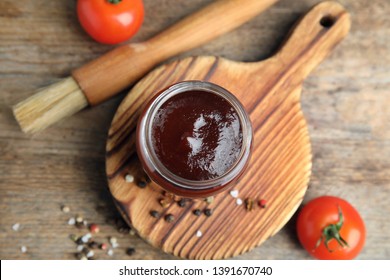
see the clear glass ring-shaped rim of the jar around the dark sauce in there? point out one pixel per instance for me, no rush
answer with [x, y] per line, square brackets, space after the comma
[145, 135]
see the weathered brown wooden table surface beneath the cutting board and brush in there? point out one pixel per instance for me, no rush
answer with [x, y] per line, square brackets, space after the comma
[346, 102]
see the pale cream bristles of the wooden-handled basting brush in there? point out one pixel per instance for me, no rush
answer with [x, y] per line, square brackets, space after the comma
[49, 105]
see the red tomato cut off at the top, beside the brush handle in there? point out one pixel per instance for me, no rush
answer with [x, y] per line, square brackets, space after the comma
[110, 21]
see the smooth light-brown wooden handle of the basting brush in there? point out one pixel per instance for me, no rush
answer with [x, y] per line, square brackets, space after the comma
[113, 72]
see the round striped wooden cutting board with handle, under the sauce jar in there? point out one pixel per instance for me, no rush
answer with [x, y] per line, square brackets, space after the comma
[280, 165]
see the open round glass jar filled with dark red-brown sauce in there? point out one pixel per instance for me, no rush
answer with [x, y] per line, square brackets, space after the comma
[194, 139]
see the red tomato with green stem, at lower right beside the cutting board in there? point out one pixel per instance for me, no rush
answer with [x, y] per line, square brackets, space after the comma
[330, 228]
